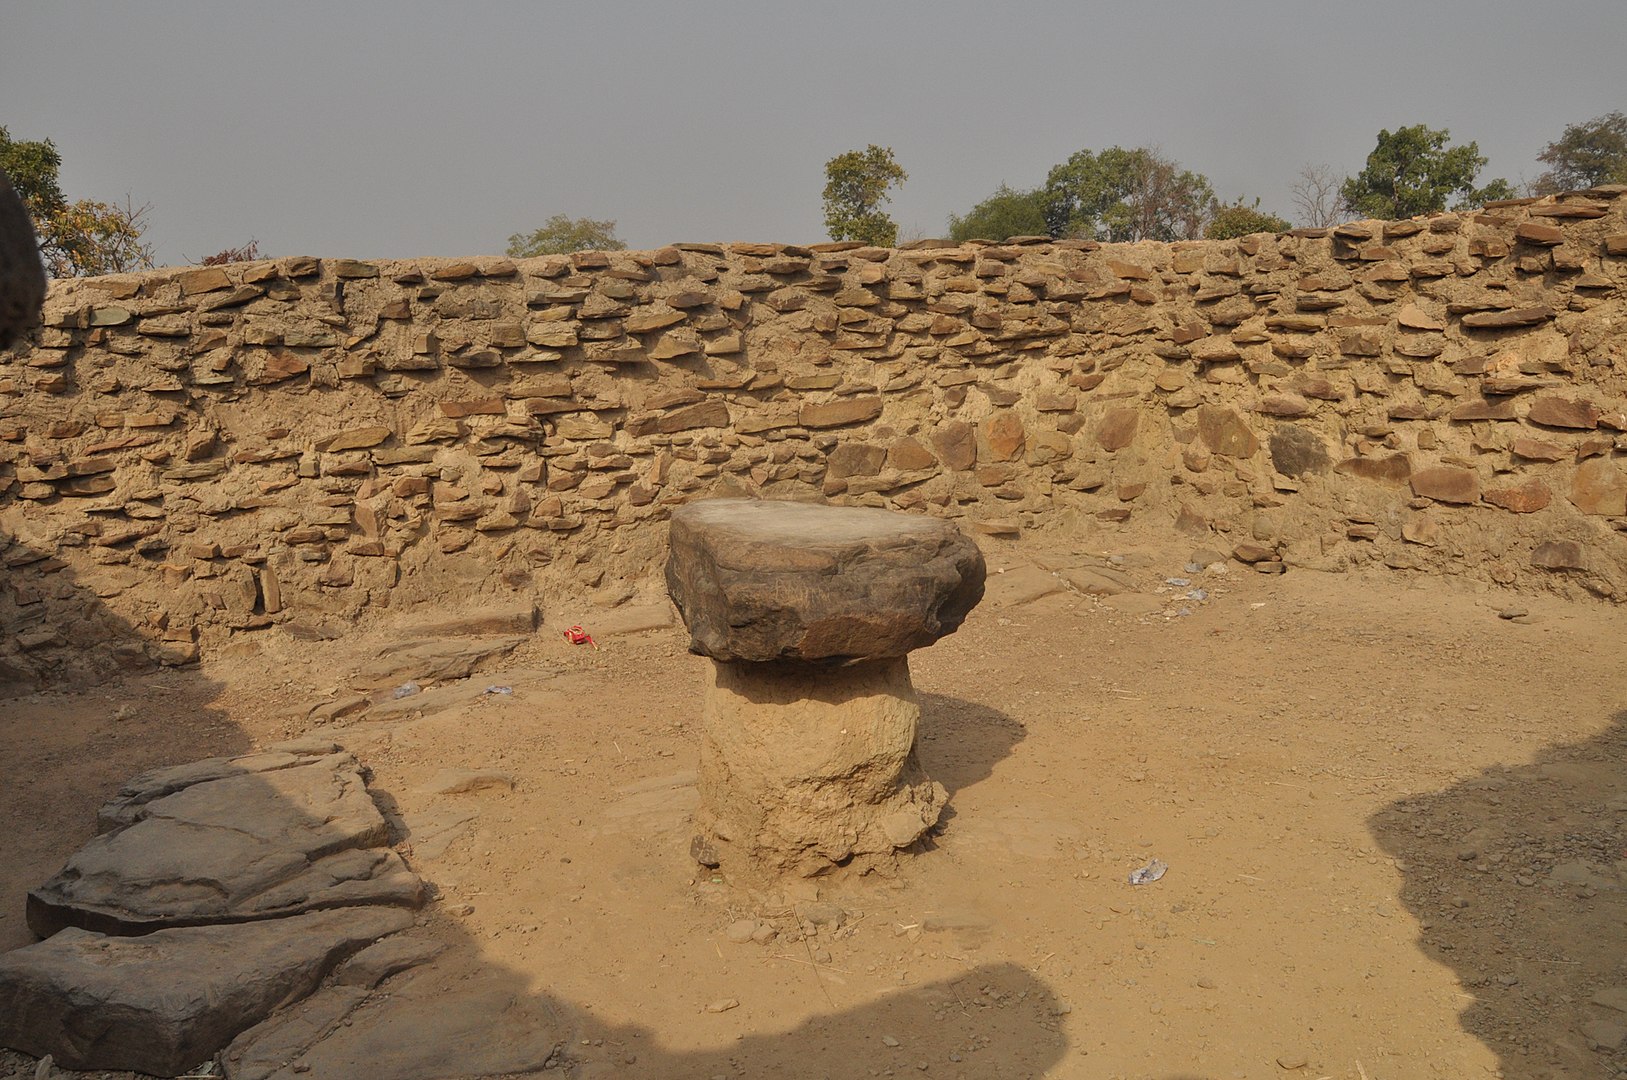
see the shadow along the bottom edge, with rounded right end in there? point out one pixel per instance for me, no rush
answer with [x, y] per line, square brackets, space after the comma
[461, 1019]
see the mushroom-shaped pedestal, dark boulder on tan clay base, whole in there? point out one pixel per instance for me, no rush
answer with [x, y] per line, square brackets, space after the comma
[809, 614]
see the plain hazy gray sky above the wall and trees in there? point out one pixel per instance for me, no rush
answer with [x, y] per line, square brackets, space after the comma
[440, 129]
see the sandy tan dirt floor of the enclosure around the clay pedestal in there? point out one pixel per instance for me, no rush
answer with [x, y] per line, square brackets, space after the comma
[1395, 824]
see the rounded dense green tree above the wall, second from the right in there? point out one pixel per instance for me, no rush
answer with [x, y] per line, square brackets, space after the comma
[1415, 172]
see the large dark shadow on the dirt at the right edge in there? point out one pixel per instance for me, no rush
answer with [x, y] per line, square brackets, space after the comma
[1519, 881]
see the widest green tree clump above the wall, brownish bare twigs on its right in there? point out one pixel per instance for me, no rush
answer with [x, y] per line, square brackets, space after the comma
[1127, 196]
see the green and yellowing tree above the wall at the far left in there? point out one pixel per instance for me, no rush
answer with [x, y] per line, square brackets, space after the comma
[79, 238]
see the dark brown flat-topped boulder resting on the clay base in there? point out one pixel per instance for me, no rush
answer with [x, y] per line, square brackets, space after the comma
[796, 581]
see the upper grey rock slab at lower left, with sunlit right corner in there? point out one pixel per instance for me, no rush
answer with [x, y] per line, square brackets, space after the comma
[233, 842]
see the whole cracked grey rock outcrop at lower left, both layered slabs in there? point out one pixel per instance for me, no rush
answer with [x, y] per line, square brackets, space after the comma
[217, 894]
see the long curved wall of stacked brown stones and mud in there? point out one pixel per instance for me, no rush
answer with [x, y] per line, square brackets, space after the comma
[209, 451]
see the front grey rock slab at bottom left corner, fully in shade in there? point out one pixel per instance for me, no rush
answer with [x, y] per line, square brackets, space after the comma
[168, 1001]
